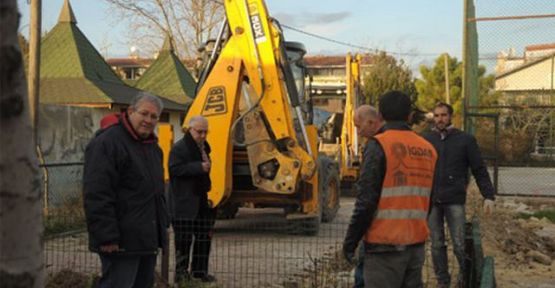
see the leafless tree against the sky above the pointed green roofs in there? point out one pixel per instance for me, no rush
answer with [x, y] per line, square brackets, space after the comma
[189, 22]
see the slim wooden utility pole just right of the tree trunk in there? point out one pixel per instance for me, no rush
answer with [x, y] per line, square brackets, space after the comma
[34, 65]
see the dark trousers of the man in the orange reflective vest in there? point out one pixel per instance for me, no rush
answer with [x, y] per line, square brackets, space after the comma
[394, 269]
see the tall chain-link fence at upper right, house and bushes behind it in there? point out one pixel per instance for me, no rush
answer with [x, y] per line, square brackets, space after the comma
[513, 42]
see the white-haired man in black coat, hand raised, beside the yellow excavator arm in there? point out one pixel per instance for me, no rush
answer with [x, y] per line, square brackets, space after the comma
[189, 166]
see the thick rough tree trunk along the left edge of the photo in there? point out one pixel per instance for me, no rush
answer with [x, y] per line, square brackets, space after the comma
[21, 261]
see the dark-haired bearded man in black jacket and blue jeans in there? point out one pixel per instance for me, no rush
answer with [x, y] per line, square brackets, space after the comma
[457, 152]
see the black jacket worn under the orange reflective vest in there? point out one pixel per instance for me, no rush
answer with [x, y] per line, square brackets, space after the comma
[369, 190]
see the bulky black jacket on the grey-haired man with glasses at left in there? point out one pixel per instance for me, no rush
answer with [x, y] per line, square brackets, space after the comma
[123, 185]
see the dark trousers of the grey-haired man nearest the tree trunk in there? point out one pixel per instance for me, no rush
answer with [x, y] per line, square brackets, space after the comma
[127, 271]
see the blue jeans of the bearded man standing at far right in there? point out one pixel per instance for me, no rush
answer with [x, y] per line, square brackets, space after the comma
[455, 216]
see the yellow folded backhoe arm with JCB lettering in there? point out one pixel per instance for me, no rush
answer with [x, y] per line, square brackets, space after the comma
[250, 55]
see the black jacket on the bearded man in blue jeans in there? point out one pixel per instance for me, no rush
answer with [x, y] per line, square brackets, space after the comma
[457, 152]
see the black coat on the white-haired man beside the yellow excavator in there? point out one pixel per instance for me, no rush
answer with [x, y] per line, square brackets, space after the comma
[189, 183]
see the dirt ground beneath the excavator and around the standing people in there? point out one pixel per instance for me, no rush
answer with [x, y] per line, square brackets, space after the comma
[248, 253]
